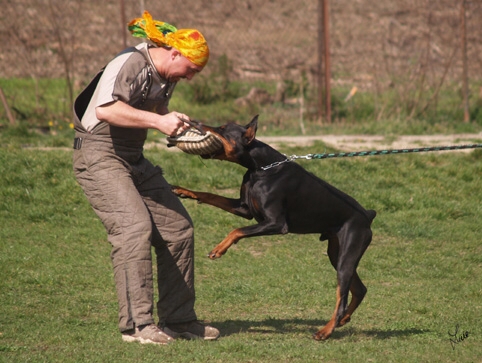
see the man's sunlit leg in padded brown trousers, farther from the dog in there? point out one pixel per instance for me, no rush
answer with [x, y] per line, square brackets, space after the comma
[109, 188]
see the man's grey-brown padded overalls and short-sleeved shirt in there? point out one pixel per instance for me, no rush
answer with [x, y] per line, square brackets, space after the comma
[134, 201]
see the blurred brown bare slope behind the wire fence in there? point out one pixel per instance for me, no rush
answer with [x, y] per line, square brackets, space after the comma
[374, 44]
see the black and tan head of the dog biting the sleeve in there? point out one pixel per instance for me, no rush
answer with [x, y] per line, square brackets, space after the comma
[235, 139]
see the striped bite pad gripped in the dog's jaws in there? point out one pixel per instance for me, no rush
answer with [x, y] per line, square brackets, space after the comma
[192, 141]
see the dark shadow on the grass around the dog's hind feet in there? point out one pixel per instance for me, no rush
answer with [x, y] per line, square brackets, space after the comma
[303, 326]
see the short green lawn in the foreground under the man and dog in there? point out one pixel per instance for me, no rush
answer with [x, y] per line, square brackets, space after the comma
[267, 295]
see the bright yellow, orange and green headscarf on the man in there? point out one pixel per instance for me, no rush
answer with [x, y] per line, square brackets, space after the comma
[190, 42]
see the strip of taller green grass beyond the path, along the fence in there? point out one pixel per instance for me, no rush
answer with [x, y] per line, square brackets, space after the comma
[44, 104]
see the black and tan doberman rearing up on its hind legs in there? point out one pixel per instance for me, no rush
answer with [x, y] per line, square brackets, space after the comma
[285, 198]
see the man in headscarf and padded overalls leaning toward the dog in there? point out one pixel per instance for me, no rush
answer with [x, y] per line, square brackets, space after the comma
[128, 193]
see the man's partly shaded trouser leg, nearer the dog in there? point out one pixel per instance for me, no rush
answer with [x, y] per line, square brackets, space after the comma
[173, 239]
